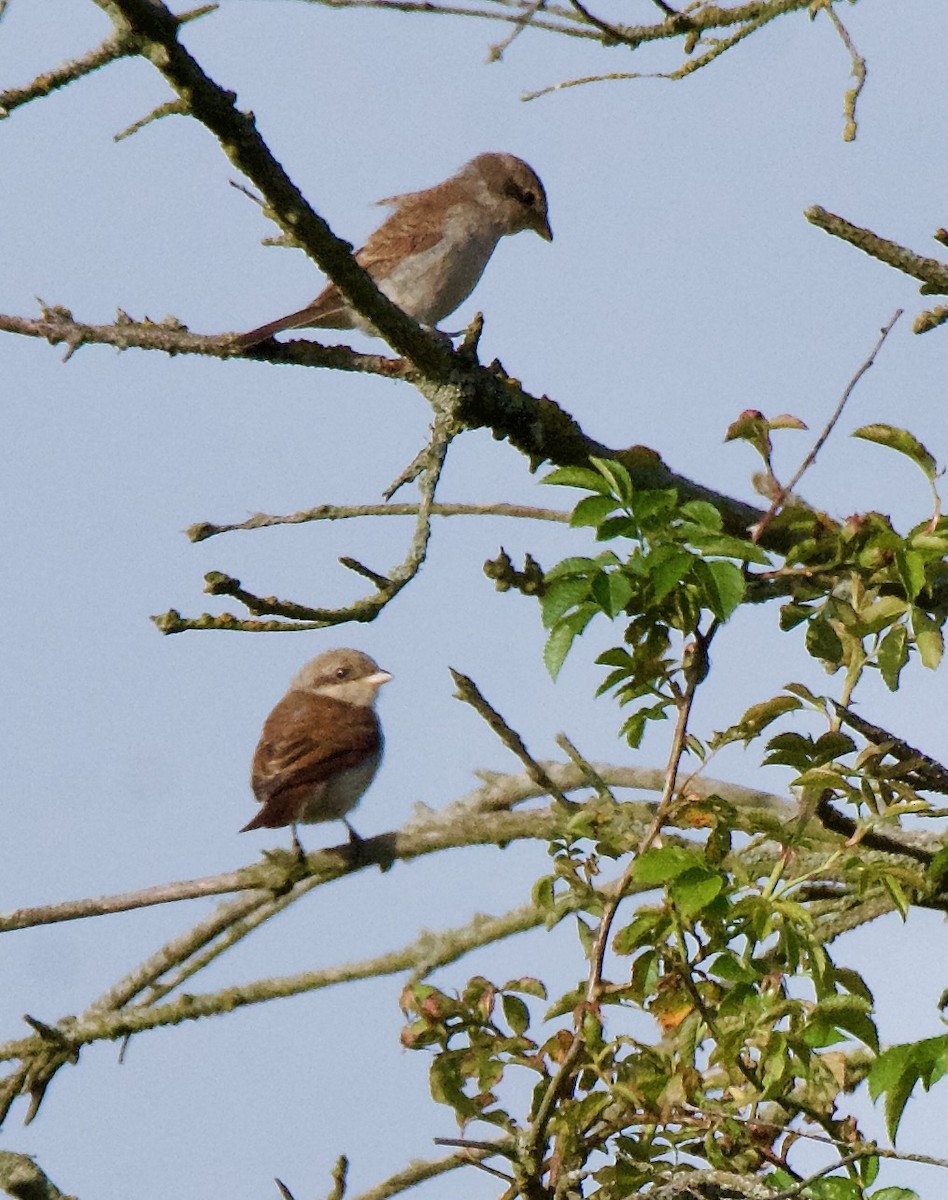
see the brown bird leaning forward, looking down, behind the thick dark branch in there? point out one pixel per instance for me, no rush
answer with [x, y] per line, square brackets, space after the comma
[428, 256]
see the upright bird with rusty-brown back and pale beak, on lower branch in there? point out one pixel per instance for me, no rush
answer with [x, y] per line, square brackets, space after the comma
[322, 745]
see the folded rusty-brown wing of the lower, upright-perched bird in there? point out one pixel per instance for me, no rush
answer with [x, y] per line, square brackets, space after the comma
[307, 741]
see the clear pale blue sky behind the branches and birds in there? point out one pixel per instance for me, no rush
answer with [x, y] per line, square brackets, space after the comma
[683, 286]
